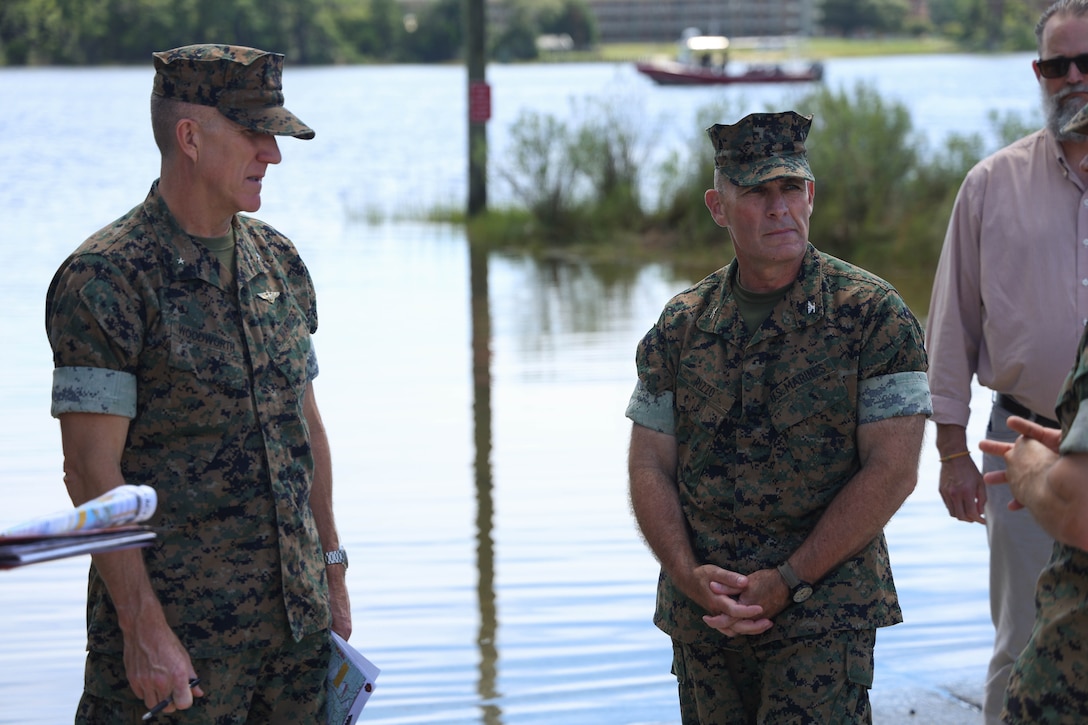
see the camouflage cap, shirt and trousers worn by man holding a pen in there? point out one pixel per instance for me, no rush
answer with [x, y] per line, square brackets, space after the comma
[211, 362]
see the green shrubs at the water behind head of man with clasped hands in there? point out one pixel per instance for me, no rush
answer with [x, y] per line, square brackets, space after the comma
[883, 196]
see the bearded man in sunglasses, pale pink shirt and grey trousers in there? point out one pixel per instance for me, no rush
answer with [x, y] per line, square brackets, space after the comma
[1012, 326]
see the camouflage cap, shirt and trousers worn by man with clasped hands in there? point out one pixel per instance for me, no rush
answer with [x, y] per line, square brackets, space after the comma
[765, 428]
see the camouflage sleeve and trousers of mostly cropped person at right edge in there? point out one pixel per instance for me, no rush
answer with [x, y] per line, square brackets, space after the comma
[1049, 682]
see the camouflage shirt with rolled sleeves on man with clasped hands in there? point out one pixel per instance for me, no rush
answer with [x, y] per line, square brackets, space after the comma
[766, 432]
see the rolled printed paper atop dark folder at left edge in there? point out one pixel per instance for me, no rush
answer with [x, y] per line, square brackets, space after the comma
[109, 523]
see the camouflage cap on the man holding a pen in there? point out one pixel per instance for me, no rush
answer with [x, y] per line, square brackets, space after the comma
[244, 84]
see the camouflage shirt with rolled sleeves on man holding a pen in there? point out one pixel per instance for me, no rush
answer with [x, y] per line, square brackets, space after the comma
[214, 382]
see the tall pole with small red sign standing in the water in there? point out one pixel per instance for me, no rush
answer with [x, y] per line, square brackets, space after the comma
[476, 42]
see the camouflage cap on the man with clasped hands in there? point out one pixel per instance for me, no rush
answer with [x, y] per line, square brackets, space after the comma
[762, 148]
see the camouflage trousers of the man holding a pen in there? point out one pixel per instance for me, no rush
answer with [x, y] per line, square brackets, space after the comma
[277, 686]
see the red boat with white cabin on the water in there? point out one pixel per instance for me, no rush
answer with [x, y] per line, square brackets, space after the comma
[704, 60]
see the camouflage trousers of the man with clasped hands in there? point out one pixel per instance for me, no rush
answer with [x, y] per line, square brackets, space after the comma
[824, 680]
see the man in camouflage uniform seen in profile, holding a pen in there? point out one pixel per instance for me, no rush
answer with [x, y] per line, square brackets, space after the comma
[182, 343]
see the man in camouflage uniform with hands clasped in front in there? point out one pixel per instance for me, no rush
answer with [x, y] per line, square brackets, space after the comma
[777, 424]
